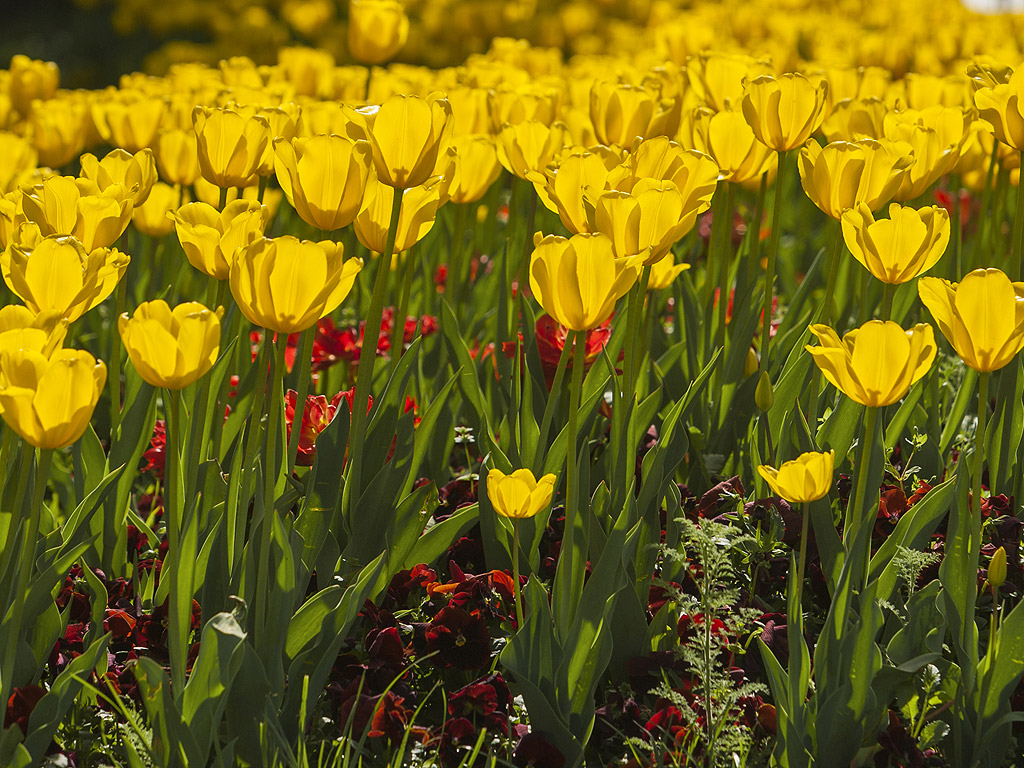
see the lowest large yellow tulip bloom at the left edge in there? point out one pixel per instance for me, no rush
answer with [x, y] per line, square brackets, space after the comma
[50, 401]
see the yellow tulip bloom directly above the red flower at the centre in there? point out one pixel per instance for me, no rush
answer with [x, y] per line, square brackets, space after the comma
[578, 281]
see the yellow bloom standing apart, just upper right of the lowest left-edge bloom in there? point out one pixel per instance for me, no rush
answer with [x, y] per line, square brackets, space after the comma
[172, 349]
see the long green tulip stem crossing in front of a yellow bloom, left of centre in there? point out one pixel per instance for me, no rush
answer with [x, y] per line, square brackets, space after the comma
[368, 357]
